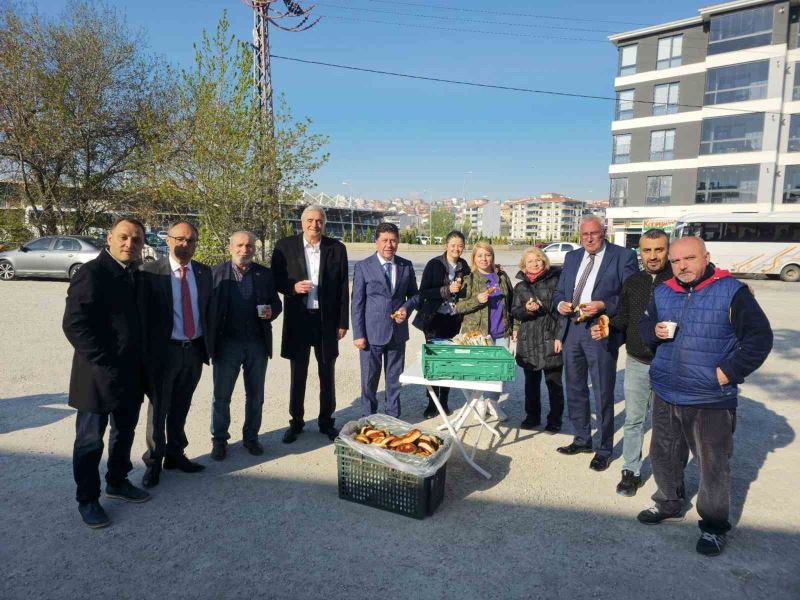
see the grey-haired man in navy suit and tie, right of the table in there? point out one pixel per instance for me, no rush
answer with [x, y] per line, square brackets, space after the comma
[592, 278]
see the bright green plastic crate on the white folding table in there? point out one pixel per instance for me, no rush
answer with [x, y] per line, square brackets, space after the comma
[468, 363]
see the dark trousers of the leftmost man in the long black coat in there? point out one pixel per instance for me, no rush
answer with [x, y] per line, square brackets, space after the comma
[88, 449]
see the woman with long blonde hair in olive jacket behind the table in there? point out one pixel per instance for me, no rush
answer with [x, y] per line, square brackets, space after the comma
[485, 301]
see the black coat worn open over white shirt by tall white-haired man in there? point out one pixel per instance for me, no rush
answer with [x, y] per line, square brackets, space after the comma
[289, 267]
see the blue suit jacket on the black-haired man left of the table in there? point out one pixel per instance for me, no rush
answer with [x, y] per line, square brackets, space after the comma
[374, 302]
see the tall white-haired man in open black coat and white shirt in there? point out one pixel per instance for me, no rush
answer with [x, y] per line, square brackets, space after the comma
[310, 271]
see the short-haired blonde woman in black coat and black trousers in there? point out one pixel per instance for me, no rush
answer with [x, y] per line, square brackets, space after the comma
[538, 349]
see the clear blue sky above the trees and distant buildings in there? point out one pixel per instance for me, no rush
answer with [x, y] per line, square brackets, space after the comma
[397, 137]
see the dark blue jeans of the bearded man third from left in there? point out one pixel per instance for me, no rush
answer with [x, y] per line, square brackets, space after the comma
[252, 358]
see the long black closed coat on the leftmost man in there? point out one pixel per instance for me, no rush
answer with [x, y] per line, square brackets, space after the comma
[102, 323]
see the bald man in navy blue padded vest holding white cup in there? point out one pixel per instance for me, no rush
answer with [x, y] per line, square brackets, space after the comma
[709, 333]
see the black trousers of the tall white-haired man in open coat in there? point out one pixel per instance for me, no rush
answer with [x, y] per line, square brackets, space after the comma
[299, 374]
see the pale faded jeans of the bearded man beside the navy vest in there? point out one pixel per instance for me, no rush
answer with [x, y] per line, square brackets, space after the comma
[638, 397]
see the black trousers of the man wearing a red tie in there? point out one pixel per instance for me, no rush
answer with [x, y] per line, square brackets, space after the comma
[172, 388]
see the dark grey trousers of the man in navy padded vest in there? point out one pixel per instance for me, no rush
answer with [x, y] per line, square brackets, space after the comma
[708, 433]
